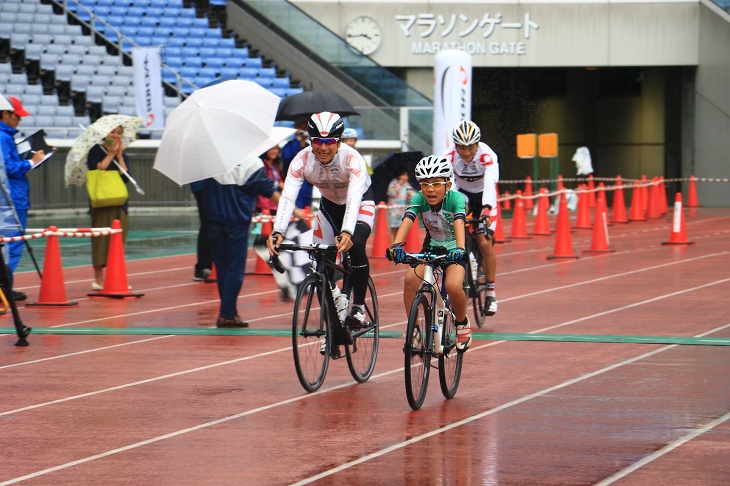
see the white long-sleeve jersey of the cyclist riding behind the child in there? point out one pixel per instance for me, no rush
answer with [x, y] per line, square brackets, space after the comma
[479, 175]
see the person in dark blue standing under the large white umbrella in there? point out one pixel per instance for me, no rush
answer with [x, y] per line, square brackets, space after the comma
[230, 200]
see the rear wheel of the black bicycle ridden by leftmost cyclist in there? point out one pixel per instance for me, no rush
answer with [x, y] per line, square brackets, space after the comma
[362, 353]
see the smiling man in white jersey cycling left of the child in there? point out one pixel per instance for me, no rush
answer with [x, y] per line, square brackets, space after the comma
[347, 209]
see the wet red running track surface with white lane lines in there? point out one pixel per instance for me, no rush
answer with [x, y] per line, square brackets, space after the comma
[228, 410]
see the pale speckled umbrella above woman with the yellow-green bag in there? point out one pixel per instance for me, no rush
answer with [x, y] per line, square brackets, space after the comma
[94, 134]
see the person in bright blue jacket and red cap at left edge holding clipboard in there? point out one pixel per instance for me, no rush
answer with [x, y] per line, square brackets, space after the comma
[16, 168]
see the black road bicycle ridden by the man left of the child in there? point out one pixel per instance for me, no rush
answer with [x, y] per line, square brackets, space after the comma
[316, 320]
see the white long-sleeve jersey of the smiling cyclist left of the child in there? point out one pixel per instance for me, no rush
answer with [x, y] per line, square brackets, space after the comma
[343, 181]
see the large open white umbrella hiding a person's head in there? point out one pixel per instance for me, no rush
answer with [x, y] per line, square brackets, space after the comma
[215, 129]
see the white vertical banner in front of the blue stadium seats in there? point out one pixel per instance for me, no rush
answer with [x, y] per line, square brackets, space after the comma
[148, 86]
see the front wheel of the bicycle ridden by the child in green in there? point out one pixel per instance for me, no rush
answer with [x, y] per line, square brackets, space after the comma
[417, 351]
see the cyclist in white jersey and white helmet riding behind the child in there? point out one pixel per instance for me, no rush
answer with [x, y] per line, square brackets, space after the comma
[476, 173]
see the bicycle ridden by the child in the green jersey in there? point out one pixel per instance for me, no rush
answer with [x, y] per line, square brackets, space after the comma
[431, 332]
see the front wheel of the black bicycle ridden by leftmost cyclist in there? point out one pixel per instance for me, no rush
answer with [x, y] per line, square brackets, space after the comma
[309, 330]
